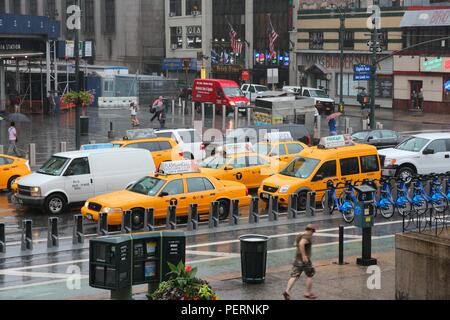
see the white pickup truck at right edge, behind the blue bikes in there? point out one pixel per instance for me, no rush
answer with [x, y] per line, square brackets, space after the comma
[420, 154]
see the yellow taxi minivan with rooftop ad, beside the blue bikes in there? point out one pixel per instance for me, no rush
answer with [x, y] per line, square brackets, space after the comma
[336, 159]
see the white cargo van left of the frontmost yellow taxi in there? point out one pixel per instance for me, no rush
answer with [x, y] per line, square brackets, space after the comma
[74, 177]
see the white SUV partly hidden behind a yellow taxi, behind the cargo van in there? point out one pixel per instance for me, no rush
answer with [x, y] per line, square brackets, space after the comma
[189, 141]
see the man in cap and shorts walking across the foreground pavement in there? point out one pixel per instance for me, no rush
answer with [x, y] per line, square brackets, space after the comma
[303, 263]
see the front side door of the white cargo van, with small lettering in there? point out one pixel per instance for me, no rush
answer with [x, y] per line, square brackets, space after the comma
[78, 180]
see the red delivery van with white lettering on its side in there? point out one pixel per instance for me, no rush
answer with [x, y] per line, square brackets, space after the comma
[220, 93]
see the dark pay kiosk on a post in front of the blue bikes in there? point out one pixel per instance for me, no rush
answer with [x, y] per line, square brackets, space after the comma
[365, 219]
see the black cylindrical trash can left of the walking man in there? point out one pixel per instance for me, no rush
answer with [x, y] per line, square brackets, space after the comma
[253, 258]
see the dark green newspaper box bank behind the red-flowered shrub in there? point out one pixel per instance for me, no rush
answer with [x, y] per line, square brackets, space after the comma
[117, 263]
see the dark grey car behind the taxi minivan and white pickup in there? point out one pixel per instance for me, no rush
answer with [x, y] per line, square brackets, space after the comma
[379, 138]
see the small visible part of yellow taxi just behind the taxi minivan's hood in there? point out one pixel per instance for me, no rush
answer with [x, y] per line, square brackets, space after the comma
[280, 146]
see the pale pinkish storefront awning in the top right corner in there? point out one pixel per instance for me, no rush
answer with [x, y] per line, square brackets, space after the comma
[426, 18]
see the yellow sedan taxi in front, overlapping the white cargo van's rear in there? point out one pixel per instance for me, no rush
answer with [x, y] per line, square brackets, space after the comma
[178, 183]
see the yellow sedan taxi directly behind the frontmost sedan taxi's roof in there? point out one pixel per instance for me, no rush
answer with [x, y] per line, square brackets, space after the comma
[238, 162]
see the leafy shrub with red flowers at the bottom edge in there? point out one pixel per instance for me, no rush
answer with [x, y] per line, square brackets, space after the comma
[183, 285]
